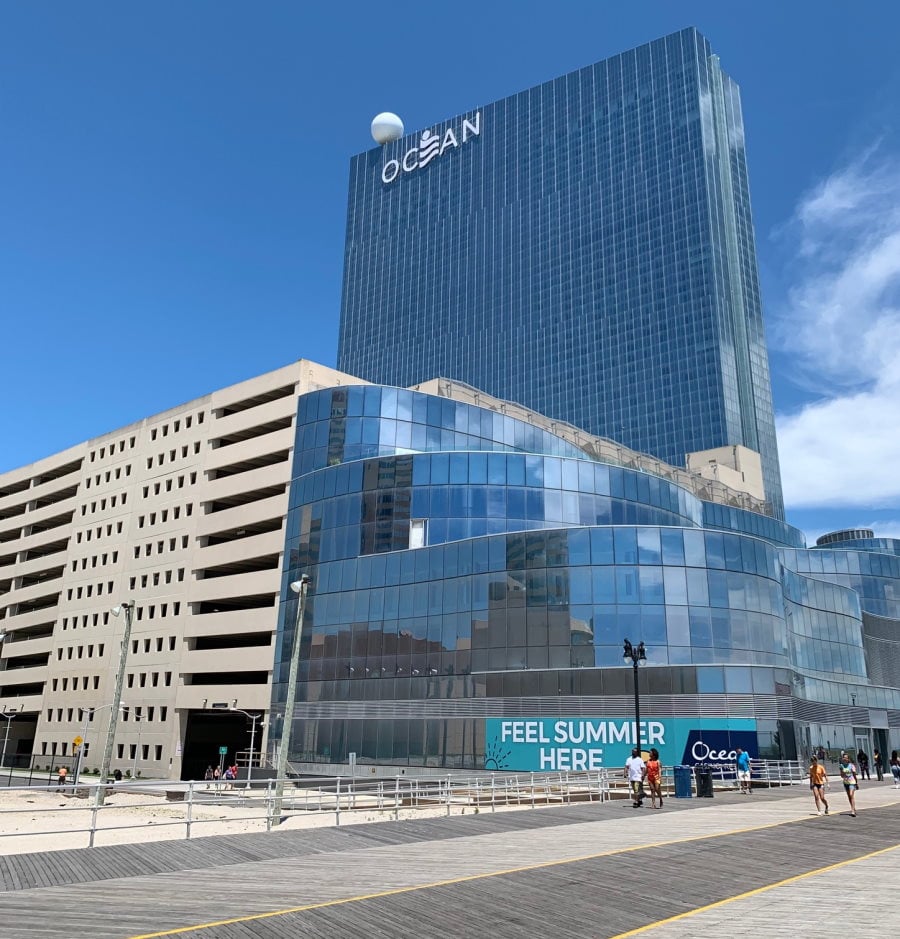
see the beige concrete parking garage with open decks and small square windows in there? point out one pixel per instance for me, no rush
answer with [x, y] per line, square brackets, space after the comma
[134, 515]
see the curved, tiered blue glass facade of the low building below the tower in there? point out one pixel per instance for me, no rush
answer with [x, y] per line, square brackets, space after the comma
[495, 572]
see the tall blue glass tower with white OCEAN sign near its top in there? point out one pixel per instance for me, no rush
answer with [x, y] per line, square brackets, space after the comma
[584, 248]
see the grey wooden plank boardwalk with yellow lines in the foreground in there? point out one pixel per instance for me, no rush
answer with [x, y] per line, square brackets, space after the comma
[580, 871]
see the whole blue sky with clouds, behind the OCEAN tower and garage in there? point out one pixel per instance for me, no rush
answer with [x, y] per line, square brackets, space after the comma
[174, 192]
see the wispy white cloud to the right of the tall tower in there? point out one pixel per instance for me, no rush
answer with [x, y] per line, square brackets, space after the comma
[841, 324]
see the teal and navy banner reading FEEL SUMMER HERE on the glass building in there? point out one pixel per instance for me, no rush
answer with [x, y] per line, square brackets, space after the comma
[578, 744]
